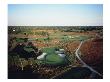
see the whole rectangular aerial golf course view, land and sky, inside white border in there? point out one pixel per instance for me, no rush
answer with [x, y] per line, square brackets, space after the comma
[55, 41]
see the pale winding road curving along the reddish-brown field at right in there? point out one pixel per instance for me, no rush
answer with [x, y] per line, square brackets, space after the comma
[84, 64]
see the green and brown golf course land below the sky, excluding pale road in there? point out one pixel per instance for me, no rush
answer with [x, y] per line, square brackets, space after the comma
[47, 52]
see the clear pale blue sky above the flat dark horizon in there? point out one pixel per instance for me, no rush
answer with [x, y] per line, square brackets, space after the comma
[55, 15]
